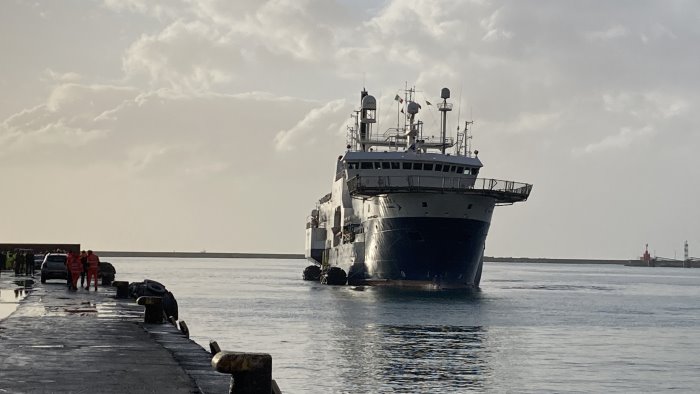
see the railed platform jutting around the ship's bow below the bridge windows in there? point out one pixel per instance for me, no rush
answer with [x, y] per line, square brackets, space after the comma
[505, 192]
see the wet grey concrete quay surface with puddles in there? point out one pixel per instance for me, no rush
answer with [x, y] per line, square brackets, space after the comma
[60, 341]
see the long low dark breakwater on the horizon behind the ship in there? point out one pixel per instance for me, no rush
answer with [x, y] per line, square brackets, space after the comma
[226, 255]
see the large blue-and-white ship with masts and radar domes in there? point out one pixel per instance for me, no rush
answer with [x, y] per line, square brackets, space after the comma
[406, 206]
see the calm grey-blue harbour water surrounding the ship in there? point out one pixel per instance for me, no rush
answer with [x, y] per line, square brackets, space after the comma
[531, 328]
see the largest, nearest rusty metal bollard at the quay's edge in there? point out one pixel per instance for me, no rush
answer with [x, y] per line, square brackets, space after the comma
[251, 373]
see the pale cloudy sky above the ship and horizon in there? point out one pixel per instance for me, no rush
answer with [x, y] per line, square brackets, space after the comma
[215, 125]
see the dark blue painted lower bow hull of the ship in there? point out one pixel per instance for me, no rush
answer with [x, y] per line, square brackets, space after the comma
[444, 251]
